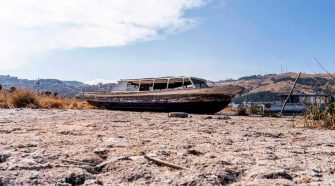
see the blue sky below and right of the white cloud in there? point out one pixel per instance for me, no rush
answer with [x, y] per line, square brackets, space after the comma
[225, 39]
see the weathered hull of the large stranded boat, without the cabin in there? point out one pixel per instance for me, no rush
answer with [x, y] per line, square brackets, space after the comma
[198, 101]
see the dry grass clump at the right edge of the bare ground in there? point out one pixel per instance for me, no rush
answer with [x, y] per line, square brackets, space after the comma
[317, 118]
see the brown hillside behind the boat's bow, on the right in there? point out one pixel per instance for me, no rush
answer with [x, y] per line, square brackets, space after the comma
[266, 88]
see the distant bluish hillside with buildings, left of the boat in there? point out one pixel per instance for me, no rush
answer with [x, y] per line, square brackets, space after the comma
[62, 88]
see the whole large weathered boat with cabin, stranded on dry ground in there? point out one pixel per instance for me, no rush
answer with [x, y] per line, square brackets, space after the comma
[165, 94]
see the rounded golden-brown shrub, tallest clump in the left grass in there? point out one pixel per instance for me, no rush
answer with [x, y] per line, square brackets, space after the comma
[24, 99]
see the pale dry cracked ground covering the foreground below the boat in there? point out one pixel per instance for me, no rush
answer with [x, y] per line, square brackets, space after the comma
[97, 147]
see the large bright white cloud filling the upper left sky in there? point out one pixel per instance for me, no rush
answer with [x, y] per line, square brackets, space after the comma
[28, 27]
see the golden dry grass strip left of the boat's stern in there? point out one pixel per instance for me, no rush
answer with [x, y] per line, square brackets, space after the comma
[22, 98]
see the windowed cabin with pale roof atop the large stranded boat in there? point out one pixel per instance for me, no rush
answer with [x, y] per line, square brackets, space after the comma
[158, 84]
